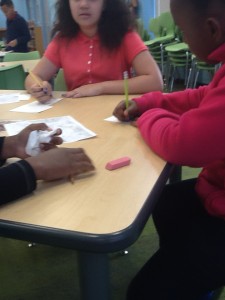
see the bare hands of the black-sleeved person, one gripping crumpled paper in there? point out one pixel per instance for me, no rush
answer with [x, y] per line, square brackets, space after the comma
[52, 164]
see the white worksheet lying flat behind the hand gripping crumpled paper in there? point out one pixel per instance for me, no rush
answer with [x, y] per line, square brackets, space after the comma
[72, 130]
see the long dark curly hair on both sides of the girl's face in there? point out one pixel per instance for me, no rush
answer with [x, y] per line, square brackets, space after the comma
[116, 20]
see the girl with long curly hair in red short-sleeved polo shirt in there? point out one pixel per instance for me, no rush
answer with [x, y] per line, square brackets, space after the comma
[95, 43]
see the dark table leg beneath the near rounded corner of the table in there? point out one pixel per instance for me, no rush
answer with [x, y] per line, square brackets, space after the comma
[94, 276]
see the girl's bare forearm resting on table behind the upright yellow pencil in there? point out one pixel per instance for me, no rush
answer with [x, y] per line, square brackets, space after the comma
[136, 85]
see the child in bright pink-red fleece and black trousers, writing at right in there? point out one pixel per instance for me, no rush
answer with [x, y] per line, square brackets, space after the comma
[187, 128]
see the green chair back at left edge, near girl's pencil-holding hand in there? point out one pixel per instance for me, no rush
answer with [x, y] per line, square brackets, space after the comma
[12, 77]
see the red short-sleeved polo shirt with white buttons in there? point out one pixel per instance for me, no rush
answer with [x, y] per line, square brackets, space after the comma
[85, 61]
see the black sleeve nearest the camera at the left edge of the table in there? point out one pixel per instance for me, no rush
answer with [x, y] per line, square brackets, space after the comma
[17, 180]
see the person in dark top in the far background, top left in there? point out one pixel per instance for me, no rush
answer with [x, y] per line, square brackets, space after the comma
[17, 30]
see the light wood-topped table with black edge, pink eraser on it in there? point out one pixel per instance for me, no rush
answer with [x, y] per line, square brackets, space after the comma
[98, 214]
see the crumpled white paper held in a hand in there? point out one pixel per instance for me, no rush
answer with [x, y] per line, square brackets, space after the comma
[36, 138]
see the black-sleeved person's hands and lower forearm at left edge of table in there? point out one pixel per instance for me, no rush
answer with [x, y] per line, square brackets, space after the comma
[19, 178]
